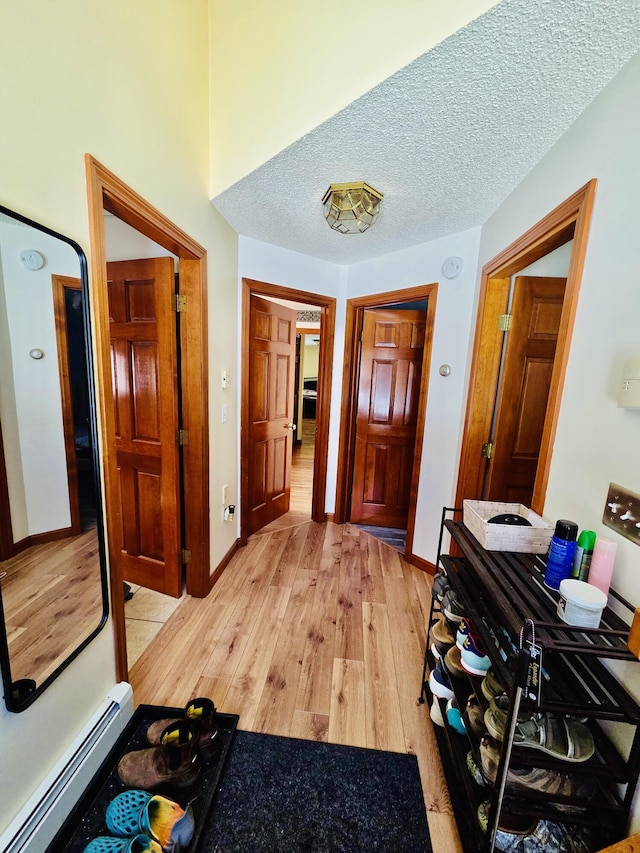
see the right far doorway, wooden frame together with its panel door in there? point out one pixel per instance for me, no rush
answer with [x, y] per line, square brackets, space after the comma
[358, 475]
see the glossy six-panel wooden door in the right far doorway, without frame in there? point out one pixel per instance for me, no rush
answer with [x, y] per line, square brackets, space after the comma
[388, 395]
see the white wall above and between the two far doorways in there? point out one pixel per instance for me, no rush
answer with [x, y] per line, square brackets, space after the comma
[408, 268]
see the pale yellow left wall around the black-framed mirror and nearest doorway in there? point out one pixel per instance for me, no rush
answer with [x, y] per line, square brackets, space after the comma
[129, 84]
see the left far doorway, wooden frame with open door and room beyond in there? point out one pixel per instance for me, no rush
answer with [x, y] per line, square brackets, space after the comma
[257, 456]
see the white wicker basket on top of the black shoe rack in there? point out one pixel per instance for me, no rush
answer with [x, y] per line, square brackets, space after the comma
[507, 537]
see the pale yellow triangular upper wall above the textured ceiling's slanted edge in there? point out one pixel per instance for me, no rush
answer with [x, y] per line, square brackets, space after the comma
[338, 50]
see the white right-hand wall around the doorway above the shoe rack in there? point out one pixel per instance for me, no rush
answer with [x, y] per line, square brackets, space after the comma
[596, 442]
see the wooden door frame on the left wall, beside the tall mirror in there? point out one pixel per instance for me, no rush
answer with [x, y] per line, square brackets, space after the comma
[106, 191]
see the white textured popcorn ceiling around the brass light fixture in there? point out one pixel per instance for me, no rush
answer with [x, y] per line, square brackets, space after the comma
[448, 137]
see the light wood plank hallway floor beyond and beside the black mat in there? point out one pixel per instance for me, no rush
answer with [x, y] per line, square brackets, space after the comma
[313, 631]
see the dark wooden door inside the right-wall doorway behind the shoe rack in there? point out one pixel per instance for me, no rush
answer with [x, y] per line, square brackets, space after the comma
[526, 380]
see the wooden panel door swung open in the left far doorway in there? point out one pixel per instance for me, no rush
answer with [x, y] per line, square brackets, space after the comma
[272, 352]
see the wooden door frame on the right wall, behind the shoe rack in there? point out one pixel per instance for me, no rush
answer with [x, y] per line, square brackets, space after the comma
[570, 220]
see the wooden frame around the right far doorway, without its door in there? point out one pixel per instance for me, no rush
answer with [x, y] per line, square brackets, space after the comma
[353, 325]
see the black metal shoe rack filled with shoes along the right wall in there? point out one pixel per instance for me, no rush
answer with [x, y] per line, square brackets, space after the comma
[501, 592]
